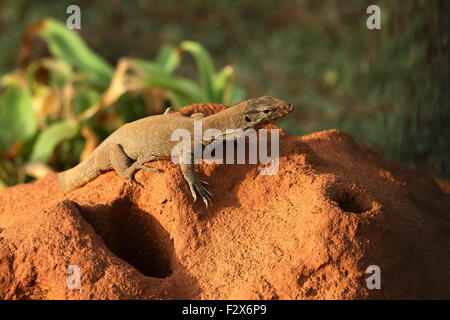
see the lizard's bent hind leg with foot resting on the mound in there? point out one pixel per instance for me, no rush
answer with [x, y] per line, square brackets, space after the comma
[125, 167]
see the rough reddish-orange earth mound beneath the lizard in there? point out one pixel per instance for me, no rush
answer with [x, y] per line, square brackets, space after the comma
[308, 232]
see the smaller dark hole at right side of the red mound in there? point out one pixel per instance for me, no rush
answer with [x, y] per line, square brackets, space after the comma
[351, 200]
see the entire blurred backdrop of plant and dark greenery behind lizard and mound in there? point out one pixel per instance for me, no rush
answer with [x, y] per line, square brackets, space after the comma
[388, 88]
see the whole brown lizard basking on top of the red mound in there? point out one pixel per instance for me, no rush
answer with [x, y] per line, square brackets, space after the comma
[148, 139]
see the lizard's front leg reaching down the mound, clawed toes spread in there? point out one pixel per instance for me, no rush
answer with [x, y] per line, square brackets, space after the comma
[195, 184]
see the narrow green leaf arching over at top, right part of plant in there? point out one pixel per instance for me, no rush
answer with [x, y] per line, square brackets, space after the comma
[204, 65]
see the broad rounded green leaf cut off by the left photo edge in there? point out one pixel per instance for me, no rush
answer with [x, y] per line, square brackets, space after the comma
[17, 117]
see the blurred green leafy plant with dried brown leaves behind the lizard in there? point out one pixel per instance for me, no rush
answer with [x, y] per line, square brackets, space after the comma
[54, 111]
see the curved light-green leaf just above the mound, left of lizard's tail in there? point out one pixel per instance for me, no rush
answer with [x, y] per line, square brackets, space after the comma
[49, 139]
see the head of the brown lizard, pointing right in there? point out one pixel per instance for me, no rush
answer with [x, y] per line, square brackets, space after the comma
[258, 112]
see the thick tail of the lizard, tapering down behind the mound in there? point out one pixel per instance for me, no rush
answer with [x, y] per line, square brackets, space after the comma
[79, 175]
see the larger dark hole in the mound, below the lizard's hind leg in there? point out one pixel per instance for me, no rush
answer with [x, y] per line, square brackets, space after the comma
[133, 235]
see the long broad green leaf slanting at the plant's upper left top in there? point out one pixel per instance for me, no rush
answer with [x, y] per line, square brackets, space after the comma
[69, 46]
